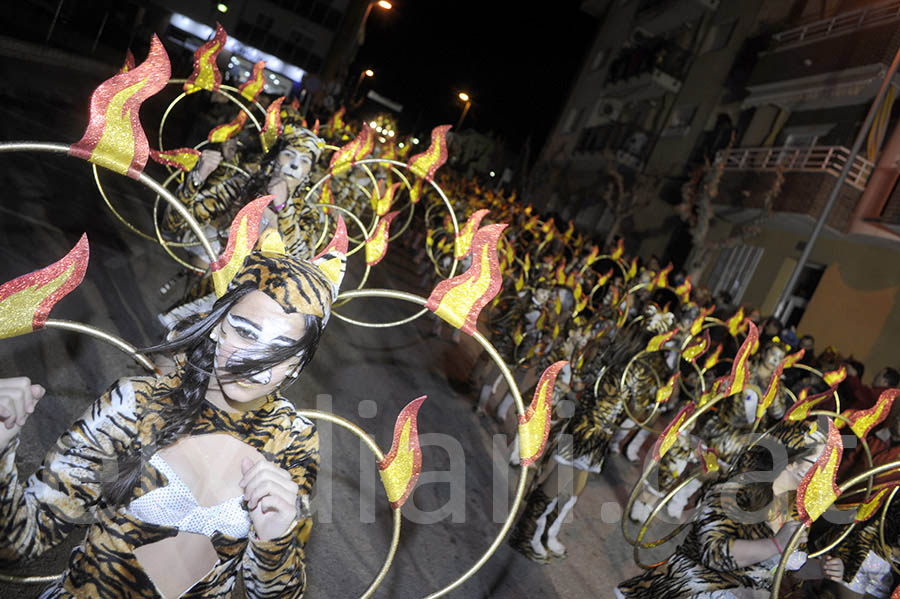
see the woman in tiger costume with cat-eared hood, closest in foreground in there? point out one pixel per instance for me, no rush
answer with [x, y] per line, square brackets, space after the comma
[212, 467]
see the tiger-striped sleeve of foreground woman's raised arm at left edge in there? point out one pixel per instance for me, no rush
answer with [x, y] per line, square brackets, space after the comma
[65, 490]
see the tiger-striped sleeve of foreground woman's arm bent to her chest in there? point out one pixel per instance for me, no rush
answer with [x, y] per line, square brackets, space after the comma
[276, 568]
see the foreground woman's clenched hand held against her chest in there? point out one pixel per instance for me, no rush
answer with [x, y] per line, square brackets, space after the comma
[271, 496]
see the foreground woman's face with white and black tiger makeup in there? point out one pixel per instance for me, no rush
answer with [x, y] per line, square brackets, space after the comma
[253, 327]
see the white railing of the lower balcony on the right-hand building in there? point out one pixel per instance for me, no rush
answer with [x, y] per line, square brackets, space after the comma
[812, 159]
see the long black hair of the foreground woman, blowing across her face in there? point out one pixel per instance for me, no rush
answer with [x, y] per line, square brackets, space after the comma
[198, 365]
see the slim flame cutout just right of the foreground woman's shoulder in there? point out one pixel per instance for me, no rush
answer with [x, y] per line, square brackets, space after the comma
[400, 468]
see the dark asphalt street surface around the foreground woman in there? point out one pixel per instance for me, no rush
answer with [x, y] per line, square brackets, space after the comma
[366, 375]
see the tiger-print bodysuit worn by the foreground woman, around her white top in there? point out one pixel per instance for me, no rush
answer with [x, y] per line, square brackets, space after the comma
[66, 492]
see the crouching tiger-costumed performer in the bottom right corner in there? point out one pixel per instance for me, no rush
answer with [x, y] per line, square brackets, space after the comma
[728, 554]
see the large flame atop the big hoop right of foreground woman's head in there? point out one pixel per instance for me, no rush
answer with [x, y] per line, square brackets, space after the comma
[459, 300]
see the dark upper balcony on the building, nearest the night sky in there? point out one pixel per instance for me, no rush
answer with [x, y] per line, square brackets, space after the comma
[646, 71]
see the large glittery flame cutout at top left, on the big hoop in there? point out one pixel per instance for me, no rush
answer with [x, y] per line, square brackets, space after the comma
[114, 138]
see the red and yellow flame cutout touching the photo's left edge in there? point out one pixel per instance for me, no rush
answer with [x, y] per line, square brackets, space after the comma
[26, 301]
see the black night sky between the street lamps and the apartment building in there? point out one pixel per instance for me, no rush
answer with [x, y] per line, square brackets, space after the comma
[516, 62]
